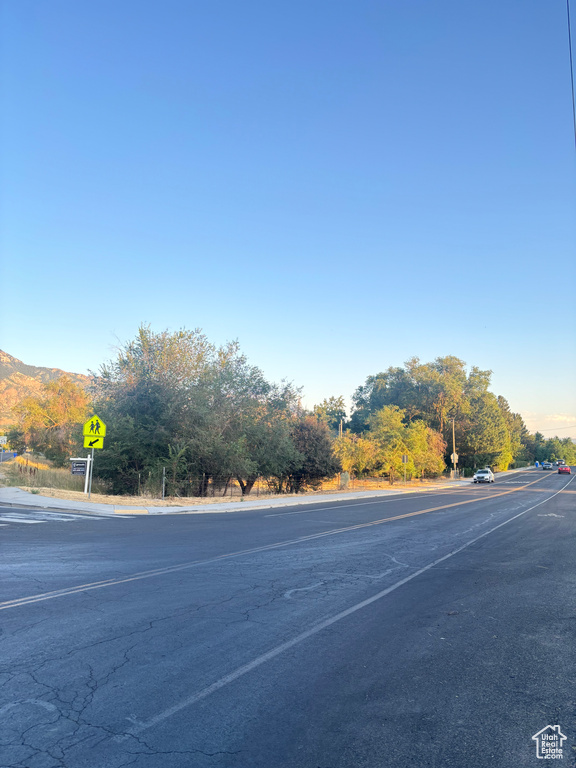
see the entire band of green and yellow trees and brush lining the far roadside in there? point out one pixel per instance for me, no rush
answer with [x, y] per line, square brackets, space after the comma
[198, 420]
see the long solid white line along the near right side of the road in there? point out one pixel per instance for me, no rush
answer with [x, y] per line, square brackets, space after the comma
[257, 662]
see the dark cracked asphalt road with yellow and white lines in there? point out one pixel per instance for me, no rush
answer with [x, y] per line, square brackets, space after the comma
[433, 629]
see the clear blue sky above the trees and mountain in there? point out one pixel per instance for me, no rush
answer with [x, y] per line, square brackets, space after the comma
[338, 185]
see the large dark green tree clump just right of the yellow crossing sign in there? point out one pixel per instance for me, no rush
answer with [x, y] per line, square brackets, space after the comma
[175, 401]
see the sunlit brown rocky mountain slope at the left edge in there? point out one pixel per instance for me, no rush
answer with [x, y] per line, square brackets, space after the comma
[18, 381]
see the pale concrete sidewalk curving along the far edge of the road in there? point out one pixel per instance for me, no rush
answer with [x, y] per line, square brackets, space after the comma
[19, 498]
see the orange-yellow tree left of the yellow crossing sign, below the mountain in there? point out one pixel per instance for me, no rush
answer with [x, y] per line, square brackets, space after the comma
[51, 422]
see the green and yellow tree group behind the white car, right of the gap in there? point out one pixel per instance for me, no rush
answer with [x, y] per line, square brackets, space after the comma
[426, 410]
